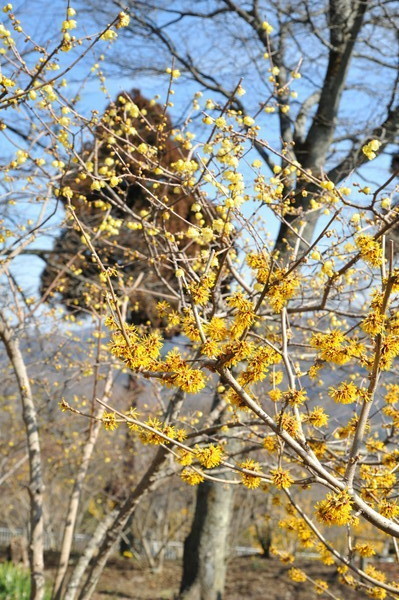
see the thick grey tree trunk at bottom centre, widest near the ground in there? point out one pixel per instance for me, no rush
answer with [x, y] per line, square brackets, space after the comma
[205, 548]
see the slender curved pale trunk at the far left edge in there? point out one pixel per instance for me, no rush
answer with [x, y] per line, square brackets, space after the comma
[36, 485]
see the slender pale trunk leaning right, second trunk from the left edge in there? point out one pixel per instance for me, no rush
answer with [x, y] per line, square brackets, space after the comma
[74, 501]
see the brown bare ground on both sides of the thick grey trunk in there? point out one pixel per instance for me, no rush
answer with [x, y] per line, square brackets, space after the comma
[251, 578]
